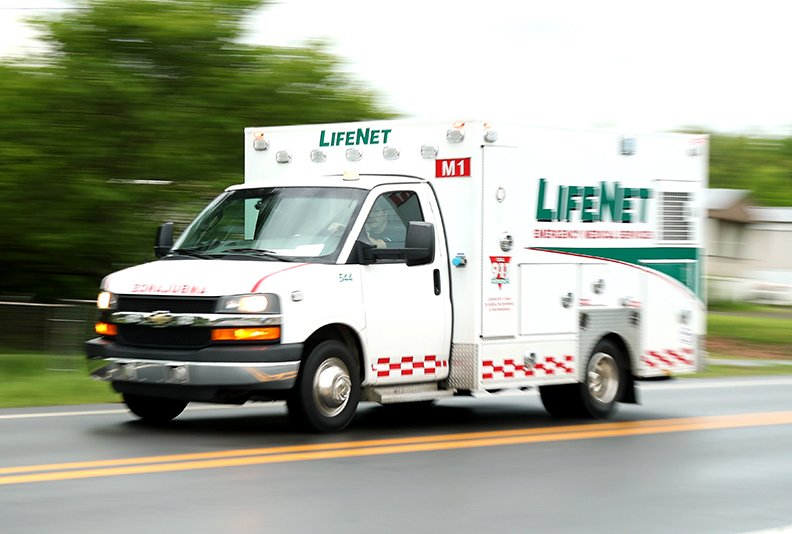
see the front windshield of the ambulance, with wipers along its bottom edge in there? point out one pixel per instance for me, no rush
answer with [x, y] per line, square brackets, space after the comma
[287, 223]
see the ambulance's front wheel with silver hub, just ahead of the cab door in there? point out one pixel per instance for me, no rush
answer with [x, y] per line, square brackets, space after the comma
[327, 392]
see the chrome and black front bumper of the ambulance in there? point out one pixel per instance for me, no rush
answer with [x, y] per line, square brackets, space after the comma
[254, 368]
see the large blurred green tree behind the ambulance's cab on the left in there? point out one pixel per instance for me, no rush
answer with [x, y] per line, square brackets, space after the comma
[130, 92]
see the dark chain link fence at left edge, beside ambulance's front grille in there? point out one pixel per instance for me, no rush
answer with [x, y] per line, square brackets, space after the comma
[59, 328]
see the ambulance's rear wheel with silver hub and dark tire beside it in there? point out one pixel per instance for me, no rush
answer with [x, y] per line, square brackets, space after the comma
[596, 397]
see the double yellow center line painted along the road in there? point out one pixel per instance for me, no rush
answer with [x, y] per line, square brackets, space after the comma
[296, 453]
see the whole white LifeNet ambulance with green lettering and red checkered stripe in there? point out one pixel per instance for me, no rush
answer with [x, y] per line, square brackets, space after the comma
[401, 261]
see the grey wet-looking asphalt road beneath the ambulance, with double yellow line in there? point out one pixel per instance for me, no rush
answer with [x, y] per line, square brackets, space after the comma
[697, 456]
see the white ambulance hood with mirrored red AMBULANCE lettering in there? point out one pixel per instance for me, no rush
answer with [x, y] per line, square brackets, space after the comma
[195, 277]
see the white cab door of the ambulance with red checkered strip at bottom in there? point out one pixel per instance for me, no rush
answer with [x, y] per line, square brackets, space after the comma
[407, 309]
